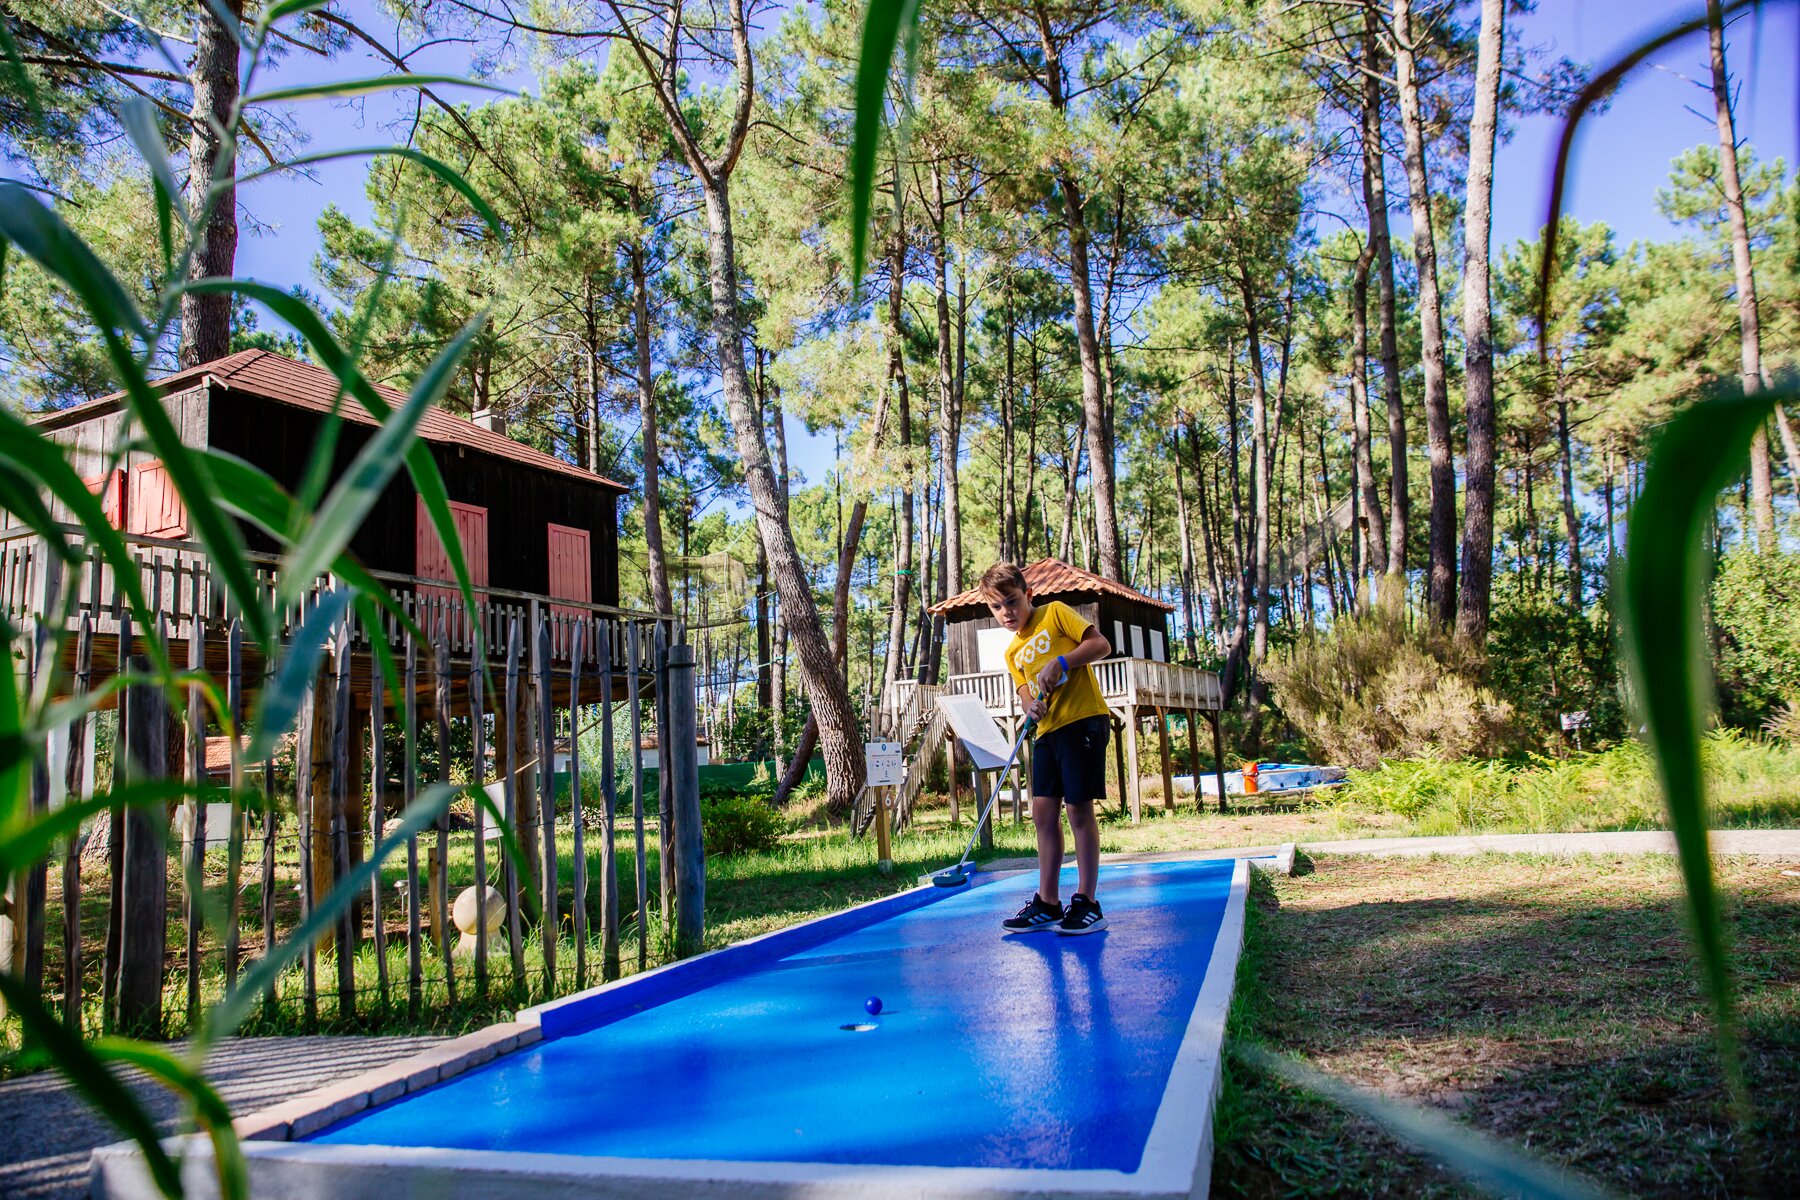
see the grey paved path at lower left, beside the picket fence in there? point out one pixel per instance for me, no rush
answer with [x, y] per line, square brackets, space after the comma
[46, 1131]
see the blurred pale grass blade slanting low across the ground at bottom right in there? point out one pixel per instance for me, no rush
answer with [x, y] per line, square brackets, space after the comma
[1488, 1163]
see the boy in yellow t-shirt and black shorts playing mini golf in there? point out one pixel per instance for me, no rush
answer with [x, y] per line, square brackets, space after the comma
[1048, 661]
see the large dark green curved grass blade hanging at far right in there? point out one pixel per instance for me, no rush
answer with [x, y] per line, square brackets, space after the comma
[1662, 596]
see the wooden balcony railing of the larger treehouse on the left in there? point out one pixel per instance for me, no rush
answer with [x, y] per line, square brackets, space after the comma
[179, 586]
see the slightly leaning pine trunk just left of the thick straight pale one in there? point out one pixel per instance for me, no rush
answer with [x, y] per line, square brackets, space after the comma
[1441, 580]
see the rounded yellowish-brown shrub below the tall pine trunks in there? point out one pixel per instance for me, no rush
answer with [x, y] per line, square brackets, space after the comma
[1372, 688]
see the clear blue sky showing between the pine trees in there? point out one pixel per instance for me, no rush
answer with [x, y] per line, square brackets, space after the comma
[1621, 161]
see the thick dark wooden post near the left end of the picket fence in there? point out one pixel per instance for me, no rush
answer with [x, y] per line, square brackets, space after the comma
[145, 918]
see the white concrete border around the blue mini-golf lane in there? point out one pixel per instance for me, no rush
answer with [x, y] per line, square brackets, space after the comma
[1176, 1161]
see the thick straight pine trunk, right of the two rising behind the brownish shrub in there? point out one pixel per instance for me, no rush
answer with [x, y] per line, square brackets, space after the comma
[1479, 355]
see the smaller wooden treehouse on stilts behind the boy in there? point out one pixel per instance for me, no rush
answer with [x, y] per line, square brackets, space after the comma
[1137, 681]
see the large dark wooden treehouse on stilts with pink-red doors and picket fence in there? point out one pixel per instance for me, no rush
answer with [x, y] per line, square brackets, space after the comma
[541, 542]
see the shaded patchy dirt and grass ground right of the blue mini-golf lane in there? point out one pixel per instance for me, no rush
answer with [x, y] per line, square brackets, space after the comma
[1551, 1003]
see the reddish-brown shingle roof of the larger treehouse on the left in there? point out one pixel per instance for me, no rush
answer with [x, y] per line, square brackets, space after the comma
[307, 386]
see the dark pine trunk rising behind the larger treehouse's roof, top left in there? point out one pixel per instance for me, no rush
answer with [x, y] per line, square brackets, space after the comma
[213, 71]
